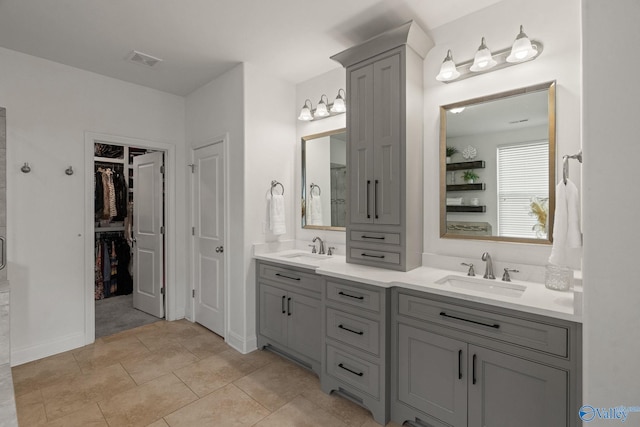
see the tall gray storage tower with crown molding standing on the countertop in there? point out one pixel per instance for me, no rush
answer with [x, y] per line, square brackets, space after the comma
[385, 155]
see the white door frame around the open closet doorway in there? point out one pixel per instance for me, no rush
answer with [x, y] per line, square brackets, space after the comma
[170, 237]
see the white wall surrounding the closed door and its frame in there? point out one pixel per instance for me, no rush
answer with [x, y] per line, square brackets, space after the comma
[214, 110]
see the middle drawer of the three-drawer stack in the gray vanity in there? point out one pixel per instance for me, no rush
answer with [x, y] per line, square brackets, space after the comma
[354, 330]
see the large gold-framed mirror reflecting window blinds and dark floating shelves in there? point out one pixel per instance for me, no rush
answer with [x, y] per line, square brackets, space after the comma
[497, 166]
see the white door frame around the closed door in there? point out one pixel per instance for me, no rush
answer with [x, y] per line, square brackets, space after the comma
[224, 140]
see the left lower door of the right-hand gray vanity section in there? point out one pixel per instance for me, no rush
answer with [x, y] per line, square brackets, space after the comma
[431, 374]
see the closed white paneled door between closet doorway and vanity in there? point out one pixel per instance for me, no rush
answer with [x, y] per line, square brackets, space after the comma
[208, 236]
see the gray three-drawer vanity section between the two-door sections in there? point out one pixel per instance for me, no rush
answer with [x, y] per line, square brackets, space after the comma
[355, 344]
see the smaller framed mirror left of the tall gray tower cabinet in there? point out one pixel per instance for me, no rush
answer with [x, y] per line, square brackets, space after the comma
[324, 180]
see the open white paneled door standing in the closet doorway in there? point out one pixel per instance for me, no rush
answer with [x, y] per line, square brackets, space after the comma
[148, 230]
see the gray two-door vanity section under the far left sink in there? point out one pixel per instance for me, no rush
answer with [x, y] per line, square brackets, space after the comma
[289, 316]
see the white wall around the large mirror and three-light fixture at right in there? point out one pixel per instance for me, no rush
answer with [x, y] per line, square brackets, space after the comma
[557, 25]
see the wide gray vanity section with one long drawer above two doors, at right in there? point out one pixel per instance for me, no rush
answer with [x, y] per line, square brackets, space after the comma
[471, 365]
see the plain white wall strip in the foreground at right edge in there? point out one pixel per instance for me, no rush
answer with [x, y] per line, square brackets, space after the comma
[611, 205]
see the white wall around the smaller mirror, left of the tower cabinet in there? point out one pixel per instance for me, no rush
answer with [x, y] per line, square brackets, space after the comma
[328, 84]
